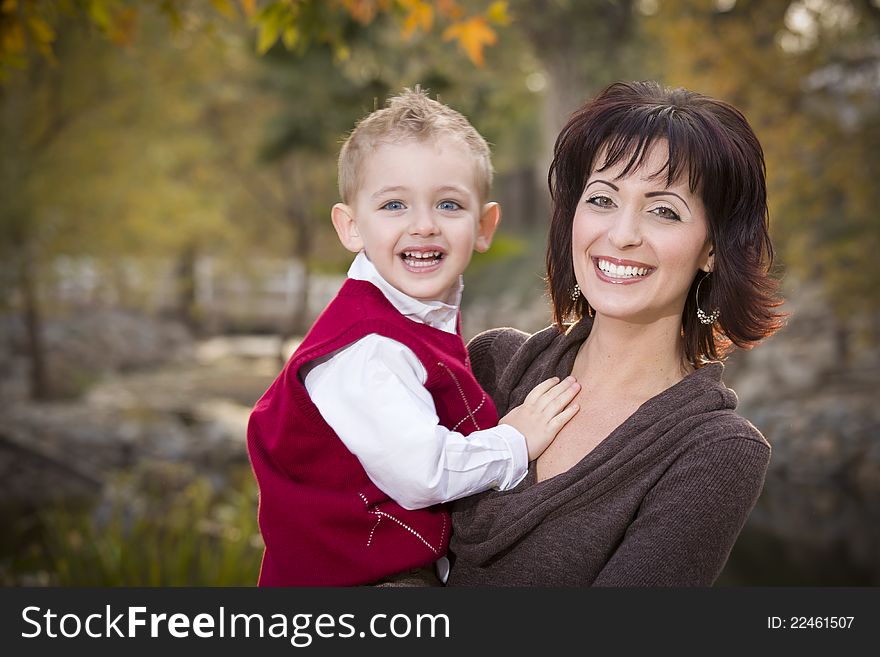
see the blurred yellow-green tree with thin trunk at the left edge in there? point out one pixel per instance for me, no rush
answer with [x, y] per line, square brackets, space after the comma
[101, 156]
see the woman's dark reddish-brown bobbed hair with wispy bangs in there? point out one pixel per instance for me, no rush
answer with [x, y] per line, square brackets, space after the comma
[712, 144]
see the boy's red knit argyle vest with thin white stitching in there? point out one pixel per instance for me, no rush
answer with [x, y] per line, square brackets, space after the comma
[324, 523]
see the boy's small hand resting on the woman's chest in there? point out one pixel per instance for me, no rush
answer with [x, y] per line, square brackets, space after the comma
[546, 409]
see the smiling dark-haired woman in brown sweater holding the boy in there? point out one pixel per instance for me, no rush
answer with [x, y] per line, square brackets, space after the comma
[658, 252]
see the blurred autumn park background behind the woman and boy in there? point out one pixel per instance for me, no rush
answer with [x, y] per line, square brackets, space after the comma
[166, 173]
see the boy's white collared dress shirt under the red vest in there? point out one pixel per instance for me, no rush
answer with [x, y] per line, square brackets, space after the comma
[372, 393]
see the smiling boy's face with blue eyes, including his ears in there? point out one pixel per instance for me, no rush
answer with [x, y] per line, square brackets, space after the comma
[418, 215]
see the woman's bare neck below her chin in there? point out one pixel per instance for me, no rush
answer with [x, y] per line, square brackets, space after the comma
[641, 359]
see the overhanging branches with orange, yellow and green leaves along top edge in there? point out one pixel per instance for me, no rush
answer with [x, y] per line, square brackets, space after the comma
[33, 25]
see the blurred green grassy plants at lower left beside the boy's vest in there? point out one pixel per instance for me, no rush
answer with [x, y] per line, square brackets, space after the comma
[153, 535]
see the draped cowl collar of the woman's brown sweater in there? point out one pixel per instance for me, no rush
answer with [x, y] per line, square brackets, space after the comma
[491, 522]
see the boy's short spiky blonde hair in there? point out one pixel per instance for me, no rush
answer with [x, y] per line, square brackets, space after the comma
[410, 115]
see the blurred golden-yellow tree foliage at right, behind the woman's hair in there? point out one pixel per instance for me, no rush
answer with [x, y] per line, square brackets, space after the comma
[799, 71]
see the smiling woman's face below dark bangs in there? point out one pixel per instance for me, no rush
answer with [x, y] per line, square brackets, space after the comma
[637, 244]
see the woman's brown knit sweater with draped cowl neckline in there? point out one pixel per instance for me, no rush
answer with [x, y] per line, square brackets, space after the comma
[659, 502]
